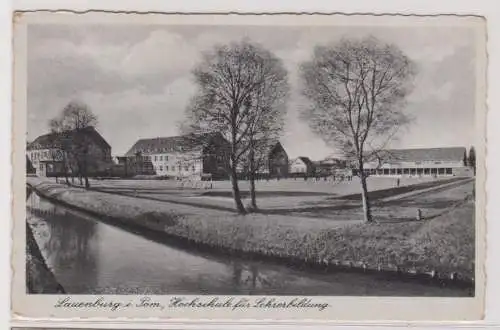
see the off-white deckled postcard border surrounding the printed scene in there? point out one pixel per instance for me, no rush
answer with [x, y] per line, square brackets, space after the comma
[341, 308]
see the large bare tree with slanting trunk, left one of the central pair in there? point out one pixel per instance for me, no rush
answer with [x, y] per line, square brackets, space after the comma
[229, 77]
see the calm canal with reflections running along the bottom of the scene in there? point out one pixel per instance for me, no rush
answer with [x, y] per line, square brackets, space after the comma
[89, 256]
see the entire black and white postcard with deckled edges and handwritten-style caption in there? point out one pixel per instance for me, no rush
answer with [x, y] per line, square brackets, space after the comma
[284, 167]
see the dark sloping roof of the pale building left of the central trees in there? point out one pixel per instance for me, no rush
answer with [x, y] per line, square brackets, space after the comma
[180, 143]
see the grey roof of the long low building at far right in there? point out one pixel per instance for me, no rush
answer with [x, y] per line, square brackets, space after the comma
[423, 154]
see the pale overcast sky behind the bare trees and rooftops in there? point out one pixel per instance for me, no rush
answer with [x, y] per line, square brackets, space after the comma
[137, 79]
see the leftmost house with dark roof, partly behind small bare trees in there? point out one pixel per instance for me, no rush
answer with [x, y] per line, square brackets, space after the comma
[48, 156]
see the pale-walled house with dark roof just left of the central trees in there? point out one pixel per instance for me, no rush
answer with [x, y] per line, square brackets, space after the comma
[191, 155]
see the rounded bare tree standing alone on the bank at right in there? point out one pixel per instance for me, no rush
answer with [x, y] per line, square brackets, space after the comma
[357, 90]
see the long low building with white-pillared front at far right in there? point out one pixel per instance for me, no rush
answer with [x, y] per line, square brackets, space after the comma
[419, 162]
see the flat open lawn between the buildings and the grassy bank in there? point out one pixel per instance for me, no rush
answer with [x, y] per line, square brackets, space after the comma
[272, 196]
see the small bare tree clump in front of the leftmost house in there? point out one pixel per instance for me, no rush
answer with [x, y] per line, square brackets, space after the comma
[71, 124]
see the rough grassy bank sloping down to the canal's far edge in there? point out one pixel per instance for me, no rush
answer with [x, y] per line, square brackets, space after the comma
[444, 244]
